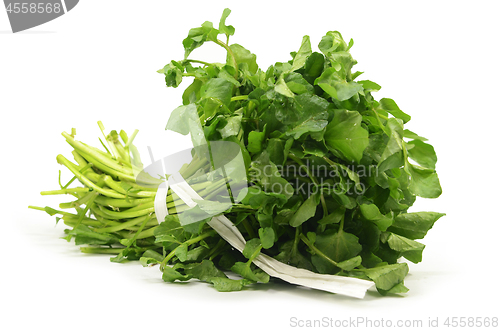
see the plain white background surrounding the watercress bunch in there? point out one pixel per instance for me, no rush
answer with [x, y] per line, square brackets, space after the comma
[438, 60]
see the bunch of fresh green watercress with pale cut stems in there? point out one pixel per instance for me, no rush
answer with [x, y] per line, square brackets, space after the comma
[332, 172]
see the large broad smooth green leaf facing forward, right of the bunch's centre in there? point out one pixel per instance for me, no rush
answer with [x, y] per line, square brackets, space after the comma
[344, 133]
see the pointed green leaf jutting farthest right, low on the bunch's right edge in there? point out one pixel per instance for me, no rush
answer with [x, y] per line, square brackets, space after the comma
[414, 225]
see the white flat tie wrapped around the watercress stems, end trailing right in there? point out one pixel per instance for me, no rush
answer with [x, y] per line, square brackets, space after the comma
[348, 286]
